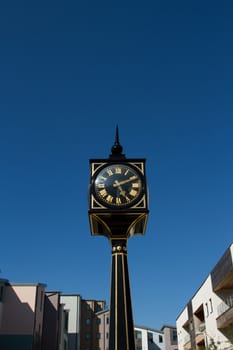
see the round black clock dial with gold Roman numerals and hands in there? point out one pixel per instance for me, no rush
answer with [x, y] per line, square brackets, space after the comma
[118, 186]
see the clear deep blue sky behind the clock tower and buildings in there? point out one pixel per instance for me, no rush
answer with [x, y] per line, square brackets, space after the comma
[70, 71]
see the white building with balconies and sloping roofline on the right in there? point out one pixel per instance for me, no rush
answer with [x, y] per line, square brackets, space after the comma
[207, 319]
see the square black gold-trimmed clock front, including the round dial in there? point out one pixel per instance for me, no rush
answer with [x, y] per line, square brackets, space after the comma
[118, 186]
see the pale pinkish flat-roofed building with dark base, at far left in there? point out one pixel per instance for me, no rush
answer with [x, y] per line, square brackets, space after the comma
[21, 315]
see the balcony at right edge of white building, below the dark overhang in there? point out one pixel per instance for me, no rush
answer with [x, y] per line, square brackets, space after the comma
[225, 313]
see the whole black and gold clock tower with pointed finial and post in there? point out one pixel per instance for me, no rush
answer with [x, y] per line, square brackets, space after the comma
[118, 210]
